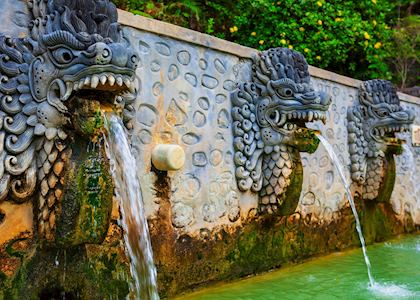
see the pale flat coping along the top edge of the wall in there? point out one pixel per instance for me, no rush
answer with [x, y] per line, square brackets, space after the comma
[201, 39]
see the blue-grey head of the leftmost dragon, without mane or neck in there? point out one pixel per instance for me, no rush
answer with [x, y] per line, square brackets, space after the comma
[78, 49]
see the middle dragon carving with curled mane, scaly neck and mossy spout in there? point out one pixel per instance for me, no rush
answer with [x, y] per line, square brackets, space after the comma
[269, 130]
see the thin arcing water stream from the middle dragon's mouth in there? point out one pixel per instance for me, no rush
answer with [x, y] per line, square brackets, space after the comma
[346, 185]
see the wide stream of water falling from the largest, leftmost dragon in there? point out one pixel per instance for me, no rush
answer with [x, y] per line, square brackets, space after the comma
[136, 232]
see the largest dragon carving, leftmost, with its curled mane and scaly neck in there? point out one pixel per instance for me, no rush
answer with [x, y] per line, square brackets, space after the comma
[75, 53]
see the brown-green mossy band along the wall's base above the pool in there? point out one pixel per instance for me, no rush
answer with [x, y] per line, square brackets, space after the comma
[185, 261]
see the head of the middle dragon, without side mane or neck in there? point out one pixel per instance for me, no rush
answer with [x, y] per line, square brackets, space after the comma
[287, 99]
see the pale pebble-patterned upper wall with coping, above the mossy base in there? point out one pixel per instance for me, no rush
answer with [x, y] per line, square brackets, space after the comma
[185, 88]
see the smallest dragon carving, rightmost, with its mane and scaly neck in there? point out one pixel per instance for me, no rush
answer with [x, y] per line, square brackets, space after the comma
[372, 126]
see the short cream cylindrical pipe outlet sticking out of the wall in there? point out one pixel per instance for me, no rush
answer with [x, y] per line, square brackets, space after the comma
[166, 157]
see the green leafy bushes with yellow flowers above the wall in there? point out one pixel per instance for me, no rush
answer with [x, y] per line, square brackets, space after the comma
[354, 38]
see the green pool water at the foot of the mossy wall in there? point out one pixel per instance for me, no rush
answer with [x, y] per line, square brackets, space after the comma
[395, 266]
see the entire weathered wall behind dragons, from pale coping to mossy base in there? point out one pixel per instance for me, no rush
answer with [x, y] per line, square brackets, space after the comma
[203, 228]
